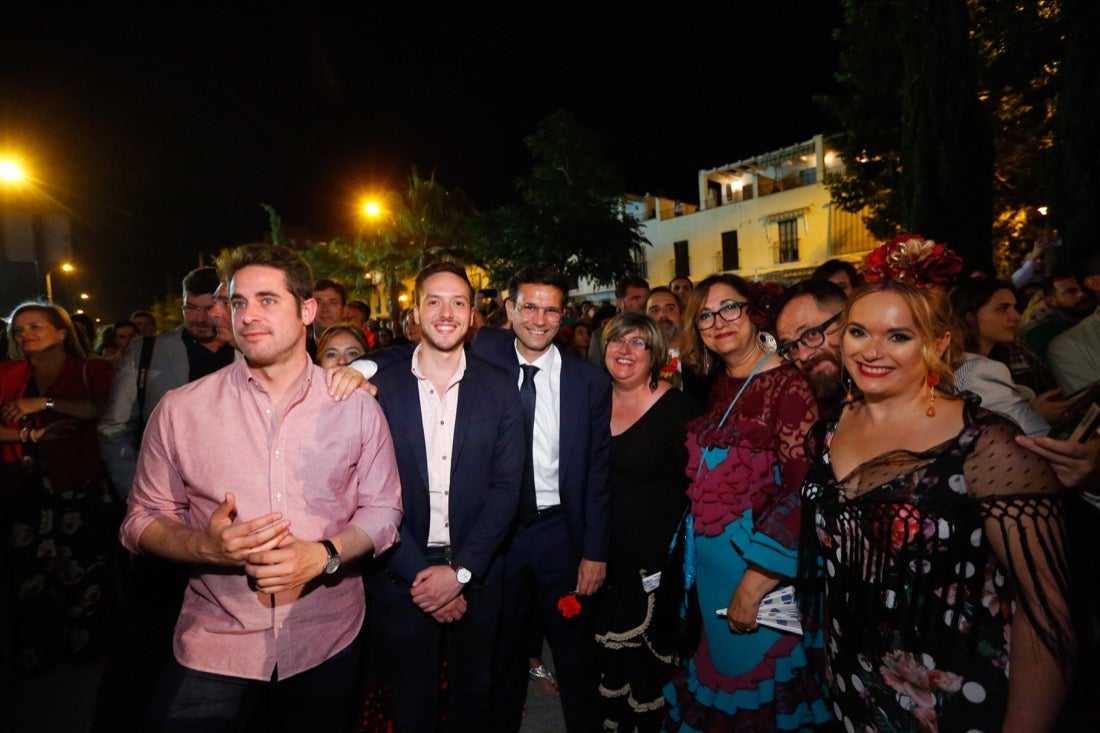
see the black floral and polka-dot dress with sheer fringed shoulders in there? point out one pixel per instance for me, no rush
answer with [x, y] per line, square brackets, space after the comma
[918, 606]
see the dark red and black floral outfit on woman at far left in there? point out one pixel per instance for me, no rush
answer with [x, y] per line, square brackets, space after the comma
[59, 523]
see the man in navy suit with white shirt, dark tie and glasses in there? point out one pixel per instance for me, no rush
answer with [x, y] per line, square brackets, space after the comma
[560, 542]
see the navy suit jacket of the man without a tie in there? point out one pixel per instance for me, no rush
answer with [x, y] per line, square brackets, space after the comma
[487, 471]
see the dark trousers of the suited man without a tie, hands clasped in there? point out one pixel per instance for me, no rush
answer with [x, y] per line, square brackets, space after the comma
[406, 648]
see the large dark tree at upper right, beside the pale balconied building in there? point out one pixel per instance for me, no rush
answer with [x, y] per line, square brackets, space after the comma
[948, 111]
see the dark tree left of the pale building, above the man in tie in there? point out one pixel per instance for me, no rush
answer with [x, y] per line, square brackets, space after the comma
[570, 215]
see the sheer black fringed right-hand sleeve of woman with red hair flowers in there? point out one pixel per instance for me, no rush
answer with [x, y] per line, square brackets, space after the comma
[1024, 512]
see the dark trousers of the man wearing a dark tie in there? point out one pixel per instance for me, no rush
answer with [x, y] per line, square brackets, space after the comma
[541, 567]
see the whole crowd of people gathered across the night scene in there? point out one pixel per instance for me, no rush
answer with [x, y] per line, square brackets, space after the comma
[859, 502]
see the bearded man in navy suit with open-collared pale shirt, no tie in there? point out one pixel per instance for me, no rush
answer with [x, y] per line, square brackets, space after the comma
[458, 424]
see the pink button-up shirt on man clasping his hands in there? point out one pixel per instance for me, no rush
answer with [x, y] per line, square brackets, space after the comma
[325, 466]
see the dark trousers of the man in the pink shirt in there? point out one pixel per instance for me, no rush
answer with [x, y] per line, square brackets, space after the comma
[322, 699]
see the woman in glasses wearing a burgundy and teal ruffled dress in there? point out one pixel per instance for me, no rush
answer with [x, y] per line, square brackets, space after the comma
[746, 464]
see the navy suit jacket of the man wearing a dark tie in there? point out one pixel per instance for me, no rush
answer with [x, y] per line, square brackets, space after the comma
[585, 453]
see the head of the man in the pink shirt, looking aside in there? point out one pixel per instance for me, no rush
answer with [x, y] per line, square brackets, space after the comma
[269, 325]
